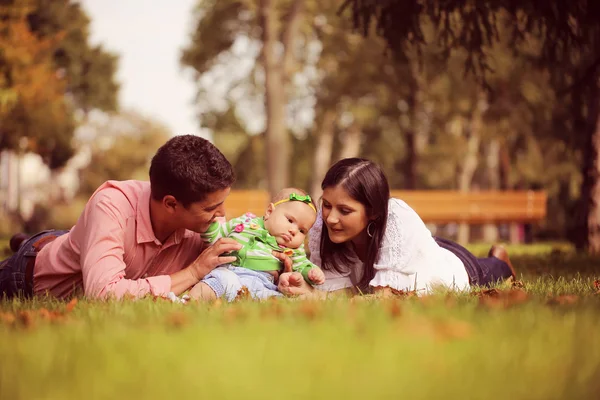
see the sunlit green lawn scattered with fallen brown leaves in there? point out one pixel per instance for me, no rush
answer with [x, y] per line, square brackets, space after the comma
[538, 342]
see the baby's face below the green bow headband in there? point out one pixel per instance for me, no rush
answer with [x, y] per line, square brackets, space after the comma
[289, 222]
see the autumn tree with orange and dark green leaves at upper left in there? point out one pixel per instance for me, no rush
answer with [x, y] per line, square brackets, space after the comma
[48, 71]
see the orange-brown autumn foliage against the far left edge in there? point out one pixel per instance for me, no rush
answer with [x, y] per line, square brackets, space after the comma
[36, 116]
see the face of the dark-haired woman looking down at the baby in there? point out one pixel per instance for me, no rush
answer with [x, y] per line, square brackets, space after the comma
[344, 217]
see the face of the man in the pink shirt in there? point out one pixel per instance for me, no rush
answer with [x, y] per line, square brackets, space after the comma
[198, 216]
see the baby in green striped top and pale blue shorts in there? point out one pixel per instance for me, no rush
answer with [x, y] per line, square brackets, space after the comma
[283, 229]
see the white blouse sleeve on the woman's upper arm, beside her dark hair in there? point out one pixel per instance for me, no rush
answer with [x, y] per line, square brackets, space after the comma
[400, 245]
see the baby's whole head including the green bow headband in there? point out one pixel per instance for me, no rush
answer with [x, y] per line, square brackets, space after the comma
[289, 217]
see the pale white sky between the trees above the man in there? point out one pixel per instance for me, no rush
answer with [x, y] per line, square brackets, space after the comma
[148, 35]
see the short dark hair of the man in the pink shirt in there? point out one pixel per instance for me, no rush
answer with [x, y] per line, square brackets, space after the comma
[189, 168]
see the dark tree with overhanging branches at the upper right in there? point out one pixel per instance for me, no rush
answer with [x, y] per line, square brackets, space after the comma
[566, 30]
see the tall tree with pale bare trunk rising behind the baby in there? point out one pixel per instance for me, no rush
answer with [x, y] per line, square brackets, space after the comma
[220, 25]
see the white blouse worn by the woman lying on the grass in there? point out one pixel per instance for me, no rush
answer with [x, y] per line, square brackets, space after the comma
[409, 258]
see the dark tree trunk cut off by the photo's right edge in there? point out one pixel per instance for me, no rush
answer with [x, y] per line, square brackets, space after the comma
[590, 190]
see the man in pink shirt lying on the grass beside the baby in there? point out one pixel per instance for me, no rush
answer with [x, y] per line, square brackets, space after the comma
[134, 238]
